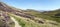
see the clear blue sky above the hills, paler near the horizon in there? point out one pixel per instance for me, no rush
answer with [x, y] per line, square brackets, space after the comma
[34, 4]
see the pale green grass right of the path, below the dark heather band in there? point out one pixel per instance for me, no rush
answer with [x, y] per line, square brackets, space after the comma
[24, 23]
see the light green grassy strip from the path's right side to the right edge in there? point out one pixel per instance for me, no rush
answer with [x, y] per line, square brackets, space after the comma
[25, 22]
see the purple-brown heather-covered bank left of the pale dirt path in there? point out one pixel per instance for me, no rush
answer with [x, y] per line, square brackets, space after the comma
[5, 20]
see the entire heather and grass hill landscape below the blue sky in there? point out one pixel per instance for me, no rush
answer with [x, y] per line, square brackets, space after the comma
[13, 17]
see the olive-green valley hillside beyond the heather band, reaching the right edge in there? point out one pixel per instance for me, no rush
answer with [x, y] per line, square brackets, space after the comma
[50, 15]
